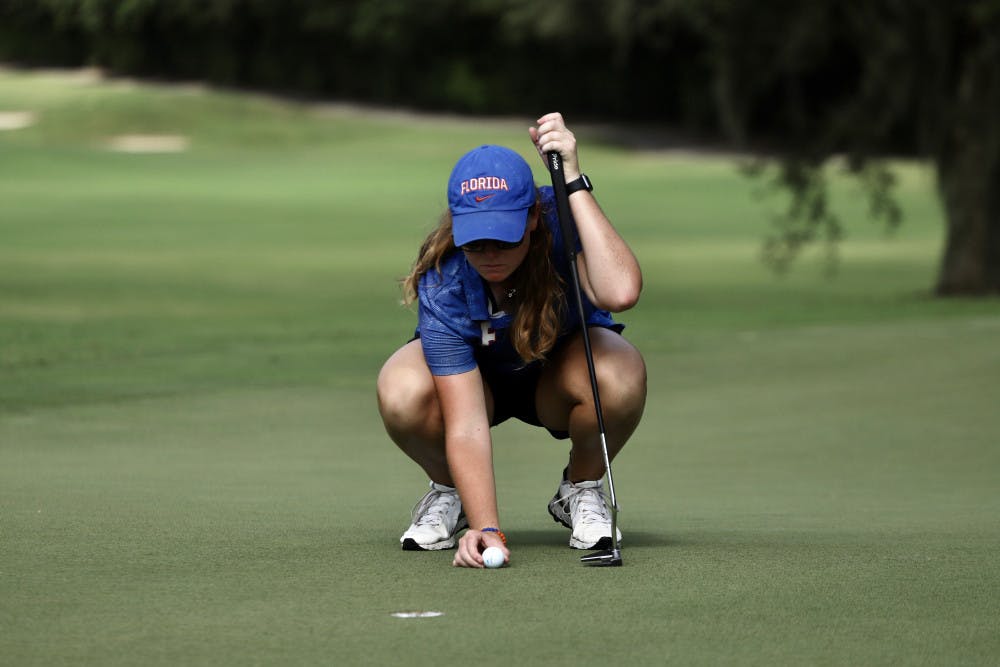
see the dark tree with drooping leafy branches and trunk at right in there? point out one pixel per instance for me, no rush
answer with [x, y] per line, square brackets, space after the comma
[867, 79]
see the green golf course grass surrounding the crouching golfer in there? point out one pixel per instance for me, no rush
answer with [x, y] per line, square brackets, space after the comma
[193, 470]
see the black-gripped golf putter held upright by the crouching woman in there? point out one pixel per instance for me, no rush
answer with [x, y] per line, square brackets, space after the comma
[612, 556]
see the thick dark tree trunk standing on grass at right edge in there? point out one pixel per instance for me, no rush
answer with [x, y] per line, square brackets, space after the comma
[969, 181]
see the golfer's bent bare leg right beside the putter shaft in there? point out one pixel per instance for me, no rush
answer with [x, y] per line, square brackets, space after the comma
[565, 399]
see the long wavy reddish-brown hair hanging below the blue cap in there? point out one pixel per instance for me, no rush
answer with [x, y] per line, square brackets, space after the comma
[538, 310]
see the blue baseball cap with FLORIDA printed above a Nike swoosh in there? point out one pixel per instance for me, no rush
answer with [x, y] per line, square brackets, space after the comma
[489, 193]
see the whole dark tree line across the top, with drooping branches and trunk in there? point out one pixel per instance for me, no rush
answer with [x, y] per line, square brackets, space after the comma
[807, 80]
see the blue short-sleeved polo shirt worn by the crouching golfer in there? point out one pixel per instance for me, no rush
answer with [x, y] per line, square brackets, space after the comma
[457, 327]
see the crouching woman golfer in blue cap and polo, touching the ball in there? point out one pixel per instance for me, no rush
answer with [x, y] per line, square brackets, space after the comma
[496, 339]
